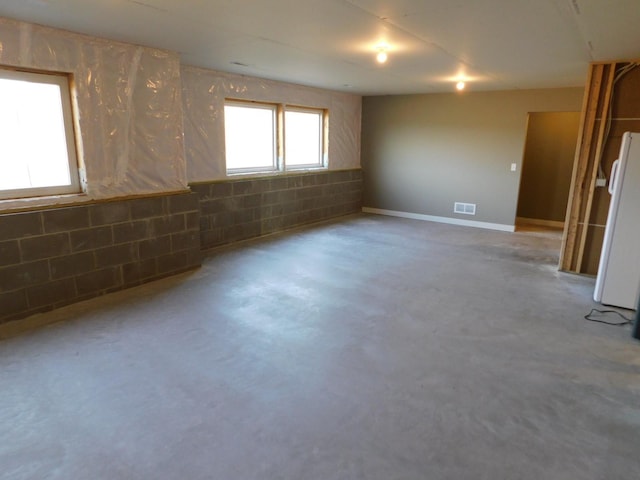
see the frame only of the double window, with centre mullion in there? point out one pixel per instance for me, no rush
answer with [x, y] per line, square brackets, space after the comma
[279, 154]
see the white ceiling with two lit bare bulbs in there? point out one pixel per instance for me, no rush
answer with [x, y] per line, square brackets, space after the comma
[494, 44]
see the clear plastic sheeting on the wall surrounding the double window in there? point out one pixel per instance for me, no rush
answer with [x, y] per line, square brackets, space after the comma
[204, 92]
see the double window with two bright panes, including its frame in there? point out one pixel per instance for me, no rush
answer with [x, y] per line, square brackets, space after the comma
[263, 137]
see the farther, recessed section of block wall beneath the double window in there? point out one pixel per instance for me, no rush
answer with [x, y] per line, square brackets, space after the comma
[239, 209]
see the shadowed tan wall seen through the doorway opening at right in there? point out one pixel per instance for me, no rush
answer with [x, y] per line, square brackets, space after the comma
[548, 164]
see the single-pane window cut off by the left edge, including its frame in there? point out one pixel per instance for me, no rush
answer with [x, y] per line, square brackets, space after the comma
[37, 148]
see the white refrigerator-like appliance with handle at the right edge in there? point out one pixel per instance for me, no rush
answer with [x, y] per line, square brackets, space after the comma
[618, 281]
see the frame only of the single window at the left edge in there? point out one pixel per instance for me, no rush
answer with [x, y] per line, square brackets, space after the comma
[62, 81]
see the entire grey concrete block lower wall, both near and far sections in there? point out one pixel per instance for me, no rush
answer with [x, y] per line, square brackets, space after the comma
[54, 257]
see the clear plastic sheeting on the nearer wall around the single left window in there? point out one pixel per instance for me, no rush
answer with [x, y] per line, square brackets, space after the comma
[128, 106]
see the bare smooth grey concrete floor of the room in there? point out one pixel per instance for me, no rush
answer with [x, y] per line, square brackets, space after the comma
[370, 348]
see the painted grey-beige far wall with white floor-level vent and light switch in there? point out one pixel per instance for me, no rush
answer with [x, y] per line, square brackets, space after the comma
[422, 153]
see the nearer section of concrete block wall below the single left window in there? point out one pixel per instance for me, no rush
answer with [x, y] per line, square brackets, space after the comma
[54, 257]
